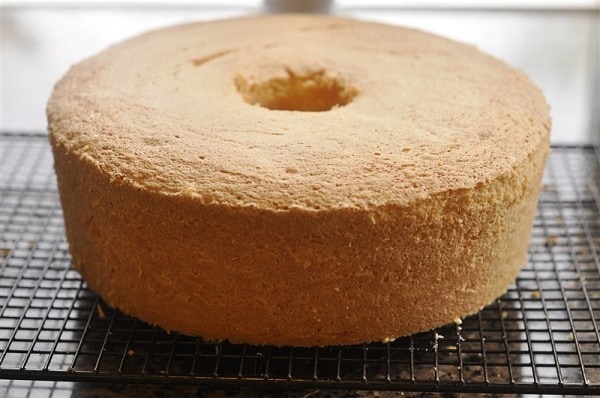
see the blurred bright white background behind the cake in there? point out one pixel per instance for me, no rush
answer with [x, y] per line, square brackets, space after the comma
[554, 42]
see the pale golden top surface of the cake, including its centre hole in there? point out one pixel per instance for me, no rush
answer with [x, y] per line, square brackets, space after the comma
[310, 112]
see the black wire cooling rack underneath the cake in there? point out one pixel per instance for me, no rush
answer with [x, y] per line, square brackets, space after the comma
[540, 337]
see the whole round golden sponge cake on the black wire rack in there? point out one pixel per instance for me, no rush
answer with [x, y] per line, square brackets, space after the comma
[297, 180]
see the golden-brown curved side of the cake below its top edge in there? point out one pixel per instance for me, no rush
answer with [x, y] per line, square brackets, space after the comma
[297, 278]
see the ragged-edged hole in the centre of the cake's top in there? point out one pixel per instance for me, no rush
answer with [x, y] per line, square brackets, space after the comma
[314, 92]
